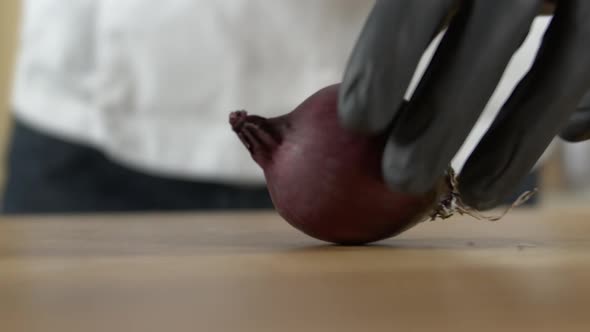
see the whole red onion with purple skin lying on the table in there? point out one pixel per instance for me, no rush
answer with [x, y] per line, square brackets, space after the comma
[326, 181]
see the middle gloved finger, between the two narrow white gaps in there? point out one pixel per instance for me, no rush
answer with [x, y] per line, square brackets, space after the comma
[461, 78]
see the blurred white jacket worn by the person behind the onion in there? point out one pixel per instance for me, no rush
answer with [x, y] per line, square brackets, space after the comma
[151, 83]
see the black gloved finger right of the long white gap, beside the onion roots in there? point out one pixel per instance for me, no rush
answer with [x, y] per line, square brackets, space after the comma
[540, 105]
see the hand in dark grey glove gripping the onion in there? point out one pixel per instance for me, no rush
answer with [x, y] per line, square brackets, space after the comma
[428, 130]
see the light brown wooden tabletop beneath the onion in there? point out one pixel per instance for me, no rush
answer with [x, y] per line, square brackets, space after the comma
[253, 272]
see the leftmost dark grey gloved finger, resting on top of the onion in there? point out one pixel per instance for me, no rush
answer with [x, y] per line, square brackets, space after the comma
[381, 66]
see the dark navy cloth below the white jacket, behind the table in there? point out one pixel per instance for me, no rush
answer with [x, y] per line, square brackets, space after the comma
[49, 175]
